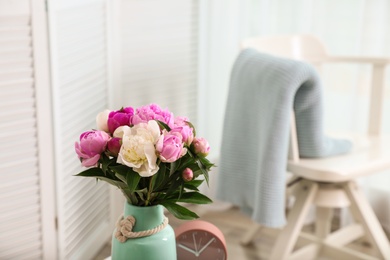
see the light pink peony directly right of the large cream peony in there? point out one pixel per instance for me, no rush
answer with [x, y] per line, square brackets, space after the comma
[170, 147]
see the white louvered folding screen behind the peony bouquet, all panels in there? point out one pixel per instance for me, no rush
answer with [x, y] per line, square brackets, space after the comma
[46, 212]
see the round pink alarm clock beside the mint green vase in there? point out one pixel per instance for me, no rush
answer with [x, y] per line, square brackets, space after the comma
[199, 239]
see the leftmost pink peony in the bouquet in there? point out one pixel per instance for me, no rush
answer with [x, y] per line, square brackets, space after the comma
[92, 144]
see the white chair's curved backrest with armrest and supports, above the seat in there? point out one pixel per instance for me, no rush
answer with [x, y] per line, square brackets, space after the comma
[308, 48]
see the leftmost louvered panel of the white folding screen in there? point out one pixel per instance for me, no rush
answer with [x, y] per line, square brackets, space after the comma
[27, 214]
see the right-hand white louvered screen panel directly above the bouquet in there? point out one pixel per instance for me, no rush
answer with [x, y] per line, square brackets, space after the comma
[160, 54]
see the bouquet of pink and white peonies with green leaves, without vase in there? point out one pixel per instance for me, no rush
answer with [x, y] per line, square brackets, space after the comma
[150, 155]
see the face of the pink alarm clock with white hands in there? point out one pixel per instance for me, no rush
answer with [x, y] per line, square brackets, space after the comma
[199, 244]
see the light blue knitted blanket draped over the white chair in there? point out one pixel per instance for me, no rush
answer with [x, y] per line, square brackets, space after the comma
[263, 91]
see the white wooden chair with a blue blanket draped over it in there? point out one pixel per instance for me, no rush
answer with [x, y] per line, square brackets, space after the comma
[330, 183]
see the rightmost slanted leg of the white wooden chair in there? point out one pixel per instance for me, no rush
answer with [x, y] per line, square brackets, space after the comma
[363, 213]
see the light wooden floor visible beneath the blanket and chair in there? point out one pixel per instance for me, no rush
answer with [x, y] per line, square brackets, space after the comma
[234, 225]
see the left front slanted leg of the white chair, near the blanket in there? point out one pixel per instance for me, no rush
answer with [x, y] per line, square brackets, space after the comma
[287, 239]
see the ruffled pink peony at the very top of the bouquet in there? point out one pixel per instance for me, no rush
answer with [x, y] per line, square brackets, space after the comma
[153, 112]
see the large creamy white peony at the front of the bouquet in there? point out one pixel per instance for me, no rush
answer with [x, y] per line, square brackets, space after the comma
[137, 150]
